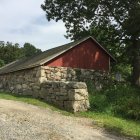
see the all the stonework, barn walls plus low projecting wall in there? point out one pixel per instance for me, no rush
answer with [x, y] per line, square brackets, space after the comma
[63, 87]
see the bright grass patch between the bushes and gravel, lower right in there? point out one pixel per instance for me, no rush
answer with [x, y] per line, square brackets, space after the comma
[116, 125]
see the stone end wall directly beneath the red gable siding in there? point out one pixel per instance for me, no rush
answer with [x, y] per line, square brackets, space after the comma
[98, 78]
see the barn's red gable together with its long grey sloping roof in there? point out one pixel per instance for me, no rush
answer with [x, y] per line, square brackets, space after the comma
[86, 53]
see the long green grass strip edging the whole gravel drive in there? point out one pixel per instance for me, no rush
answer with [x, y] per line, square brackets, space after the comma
[110, 122]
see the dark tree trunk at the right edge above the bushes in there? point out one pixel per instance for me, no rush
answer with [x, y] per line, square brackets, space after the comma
[136, 63]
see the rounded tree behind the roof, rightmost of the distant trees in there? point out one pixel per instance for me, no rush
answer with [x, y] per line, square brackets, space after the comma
[30, 50]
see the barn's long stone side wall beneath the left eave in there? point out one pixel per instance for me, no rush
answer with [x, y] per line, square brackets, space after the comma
[21, 82]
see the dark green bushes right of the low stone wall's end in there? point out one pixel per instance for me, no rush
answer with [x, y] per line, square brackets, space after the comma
[119, 99]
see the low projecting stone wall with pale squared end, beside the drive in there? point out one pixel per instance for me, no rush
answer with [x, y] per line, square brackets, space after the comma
[71, 96]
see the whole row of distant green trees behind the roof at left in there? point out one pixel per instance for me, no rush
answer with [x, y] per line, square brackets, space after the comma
[10, 52]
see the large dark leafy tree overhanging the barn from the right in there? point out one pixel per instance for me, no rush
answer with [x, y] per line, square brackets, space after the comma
[122, 16]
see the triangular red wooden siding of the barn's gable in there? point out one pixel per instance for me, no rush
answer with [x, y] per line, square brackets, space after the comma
[86, 55]
